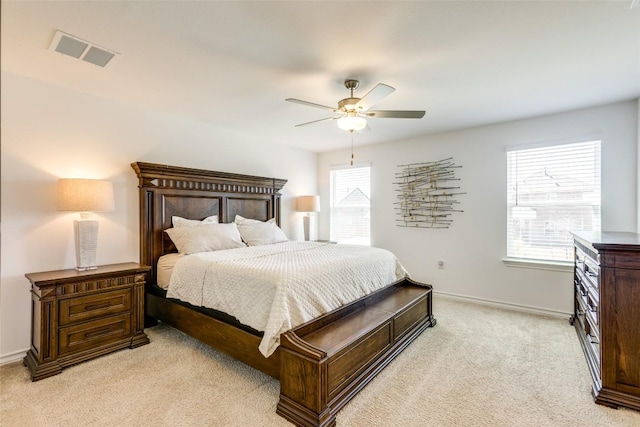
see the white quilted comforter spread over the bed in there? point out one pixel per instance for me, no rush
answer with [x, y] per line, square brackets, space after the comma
[274, 288]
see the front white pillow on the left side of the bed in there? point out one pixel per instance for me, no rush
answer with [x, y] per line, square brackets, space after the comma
[205, 238]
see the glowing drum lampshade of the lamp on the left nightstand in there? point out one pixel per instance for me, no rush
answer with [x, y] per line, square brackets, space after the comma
[85, 195]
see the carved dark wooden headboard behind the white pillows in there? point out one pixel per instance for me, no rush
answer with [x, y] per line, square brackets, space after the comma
[166, 191]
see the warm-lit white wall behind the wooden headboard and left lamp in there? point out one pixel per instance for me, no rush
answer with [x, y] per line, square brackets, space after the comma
[50, 132]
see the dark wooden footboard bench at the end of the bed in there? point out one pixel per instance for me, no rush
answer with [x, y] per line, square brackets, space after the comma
[326, 362]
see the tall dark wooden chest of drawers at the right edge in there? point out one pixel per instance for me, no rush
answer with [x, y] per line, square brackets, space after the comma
[607, 314]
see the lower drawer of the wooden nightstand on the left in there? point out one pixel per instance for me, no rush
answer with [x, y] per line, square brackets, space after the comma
[91, 335]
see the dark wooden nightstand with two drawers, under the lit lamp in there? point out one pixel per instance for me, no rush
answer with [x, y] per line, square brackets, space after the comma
[80, 315]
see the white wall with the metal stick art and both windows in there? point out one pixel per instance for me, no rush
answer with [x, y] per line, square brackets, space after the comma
[473, 248]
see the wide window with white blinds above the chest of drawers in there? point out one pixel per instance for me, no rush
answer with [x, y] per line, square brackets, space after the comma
[551, 191]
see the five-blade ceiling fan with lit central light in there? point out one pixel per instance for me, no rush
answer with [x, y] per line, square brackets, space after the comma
[354, 112]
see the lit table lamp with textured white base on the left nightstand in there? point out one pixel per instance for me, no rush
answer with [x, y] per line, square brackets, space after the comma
[85, 196]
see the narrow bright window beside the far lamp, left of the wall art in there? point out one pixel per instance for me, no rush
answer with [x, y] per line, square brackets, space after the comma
[349, 203]
